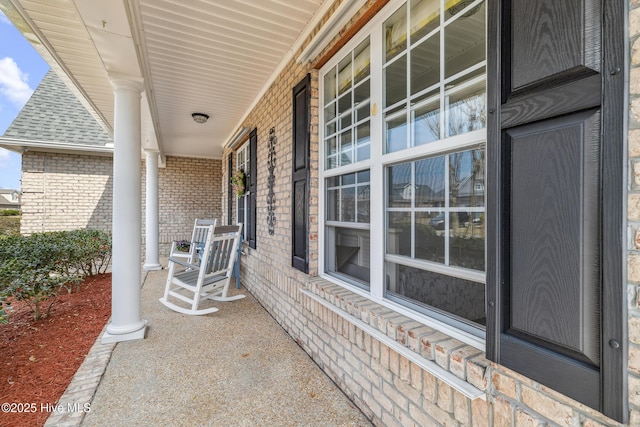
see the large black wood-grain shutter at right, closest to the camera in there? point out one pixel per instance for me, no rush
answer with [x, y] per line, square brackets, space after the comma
[555, 260]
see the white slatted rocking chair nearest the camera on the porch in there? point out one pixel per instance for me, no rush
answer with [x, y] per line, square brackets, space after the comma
[192, 283]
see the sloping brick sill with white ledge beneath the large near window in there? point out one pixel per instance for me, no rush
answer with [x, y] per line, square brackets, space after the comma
[461, 366]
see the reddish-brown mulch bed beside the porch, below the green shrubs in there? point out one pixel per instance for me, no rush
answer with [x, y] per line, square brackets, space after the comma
[39, 359]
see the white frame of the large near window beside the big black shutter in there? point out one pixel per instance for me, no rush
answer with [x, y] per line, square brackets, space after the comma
[376, 165]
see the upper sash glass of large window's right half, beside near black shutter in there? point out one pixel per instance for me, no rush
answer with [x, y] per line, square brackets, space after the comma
[461, 94]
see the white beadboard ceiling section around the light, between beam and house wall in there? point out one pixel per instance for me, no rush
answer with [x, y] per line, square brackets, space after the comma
[213, 57]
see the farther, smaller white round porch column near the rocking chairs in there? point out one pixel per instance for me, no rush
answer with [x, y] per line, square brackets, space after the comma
[152, 260]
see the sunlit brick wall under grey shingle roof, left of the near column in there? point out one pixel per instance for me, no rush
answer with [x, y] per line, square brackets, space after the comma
[65, 192]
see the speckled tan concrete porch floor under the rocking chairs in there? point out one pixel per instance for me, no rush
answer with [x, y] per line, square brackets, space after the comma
[234, 367]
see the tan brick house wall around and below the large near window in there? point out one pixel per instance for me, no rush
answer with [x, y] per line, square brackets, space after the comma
[384, 361]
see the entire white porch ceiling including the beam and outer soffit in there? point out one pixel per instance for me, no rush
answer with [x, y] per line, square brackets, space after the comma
[208, 56]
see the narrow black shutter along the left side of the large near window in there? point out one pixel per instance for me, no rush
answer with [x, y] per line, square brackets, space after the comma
[300, 176]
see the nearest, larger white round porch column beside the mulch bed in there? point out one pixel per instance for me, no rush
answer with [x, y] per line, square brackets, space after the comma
[126, 323]
